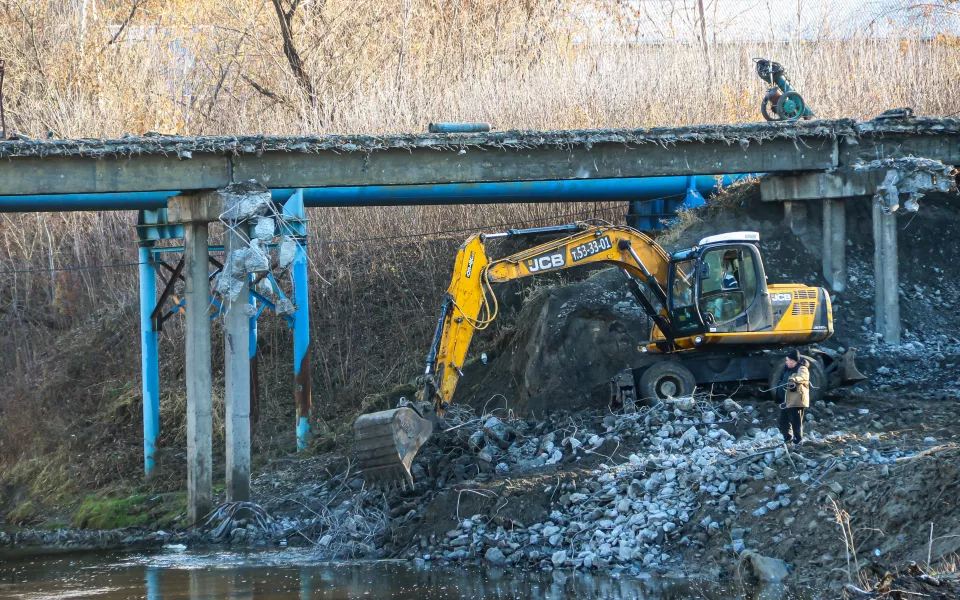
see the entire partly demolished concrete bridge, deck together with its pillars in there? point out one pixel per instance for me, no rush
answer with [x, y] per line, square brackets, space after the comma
[828, 161]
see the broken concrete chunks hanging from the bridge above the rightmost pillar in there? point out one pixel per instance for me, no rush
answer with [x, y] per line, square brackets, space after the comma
[913, 177]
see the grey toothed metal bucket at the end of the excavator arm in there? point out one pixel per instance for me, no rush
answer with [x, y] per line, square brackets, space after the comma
[386, 444]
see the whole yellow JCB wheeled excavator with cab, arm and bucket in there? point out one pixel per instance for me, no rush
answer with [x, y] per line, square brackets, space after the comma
[714, 315]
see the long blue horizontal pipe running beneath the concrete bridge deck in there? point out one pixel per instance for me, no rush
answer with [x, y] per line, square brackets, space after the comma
[606, 190]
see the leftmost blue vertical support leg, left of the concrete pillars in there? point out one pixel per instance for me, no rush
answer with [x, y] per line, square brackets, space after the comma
[149, 360]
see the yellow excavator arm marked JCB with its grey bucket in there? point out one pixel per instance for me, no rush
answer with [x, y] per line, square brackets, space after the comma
[388, 441]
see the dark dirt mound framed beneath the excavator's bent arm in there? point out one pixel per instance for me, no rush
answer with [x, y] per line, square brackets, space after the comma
[565, 345]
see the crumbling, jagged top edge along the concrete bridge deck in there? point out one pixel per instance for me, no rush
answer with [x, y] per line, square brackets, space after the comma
[185, 147]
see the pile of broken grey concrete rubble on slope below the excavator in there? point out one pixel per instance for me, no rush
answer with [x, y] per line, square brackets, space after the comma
[620, 513]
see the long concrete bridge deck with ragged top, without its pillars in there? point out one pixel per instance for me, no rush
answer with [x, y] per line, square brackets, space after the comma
[161, 163]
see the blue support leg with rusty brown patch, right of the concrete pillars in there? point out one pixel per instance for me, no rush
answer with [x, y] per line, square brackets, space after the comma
[295, 225]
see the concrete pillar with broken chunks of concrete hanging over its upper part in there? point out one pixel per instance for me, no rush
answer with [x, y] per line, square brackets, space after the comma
[236, 353]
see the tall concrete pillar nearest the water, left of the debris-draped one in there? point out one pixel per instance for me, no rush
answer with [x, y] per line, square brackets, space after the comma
[199, 401]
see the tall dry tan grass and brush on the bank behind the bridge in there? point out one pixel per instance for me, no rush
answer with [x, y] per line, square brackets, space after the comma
[69, 338]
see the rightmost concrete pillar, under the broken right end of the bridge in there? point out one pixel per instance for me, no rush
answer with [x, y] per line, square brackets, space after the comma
[886, 274]
